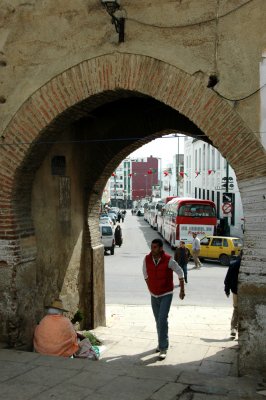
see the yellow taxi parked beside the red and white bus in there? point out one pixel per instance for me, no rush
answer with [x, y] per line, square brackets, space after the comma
[219, 248]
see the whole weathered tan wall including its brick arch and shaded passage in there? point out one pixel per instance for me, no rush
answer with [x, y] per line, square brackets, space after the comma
[65, 84]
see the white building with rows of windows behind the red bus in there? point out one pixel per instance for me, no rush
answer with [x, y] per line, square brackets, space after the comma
[205, 174]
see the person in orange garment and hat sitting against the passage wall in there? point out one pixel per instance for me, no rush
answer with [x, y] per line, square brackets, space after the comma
[55, 335]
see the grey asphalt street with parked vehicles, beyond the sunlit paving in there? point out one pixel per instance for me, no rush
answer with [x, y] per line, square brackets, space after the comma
[123, 272]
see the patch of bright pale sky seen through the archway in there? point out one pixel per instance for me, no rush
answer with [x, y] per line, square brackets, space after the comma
[164, 148]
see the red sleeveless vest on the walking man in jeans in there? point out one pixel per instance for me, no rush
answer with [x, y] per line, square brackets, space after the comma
[160, 277]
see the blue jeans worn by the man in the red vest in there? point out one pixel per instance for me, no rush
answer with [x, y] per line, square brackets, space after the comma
[160, 308]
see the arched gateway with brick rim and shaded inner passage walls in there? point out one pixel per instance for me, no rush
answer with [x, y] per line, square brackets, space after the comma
[54, 168]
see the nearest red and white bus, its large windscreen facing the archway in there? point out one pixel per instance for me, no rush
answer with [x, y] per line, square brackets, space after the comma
[182, 216]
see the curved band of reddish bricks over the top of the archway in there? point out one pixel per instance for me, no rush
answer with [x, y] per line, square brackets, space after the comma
[136, 73]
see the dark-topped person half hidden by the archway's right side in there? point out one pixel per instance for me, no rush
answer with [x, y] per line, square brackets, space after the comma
[230, 285]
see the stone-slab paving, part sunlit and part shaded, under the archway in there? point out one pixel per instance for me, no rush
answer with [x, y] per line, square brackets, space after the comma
[201, 363]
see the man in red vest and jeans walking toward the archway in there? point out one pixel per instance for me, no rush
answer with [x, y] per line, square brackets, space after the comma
[158, 268]
